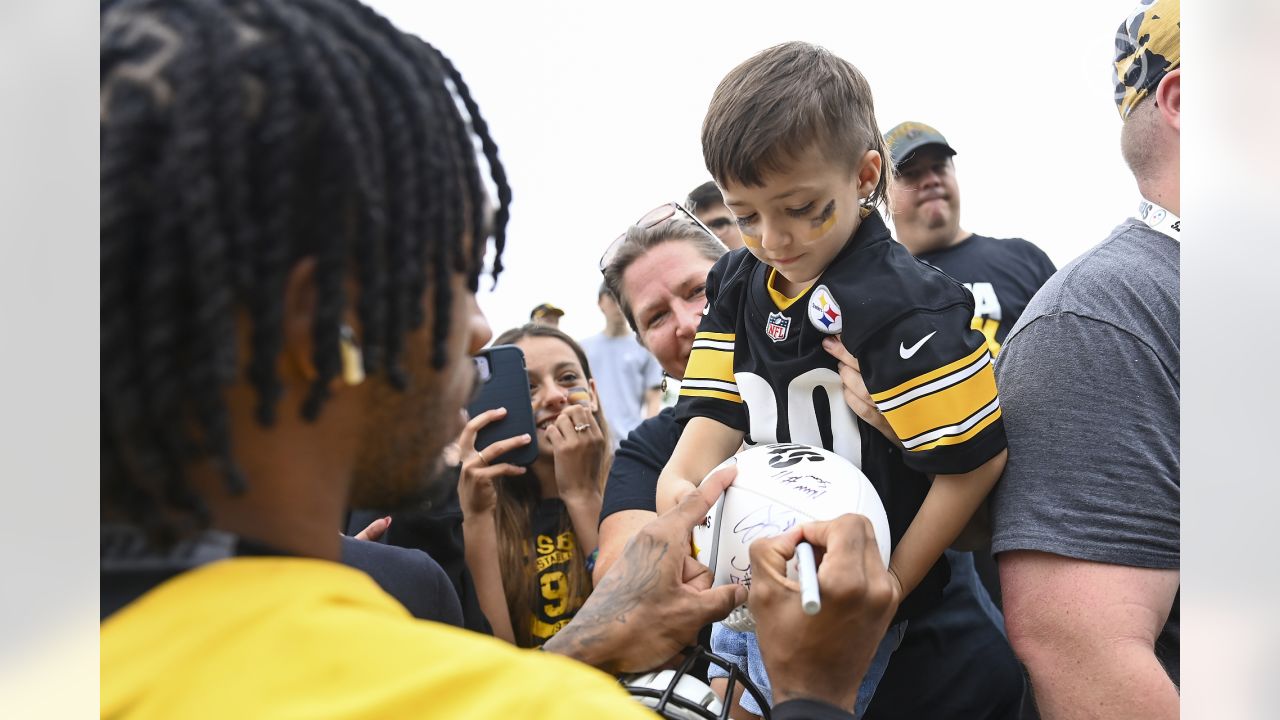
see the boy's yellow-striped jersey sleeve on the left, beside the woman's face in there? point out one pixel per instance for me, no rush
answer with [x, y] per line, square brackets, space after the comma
[710, 389]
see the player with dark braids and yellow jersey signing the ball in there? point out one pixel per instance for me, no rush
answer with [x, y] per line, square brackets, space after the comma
[294, 218]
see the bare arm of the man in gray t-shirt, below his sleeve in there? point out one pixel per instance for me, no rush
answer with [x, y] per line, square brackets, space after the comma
[1087, 634]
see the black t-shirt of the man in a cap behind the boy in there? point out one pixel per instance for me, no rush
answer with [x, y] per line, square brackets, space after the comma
[1003, 275]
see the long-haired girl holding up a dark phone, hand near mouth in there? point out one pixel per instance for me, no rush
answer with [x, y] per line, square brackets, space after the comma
[531, 532]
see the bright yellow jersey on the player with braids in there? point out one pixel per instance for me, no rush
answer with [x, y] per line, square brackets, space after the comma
[289, 637]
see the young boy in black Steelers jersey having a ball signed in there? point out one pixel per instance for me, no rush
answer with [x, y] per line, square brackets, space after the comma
[792, 139]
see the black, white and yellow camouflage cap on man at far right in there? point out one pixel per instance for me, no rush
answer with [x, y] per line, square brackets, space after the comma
[1148, 49]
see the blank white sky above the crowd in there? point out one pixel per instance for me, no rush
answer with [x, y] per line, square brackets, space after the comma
[597, 111]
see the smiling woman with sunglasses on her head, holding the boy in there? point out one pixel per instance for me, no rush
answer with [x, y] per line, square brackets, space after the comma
[657, 271]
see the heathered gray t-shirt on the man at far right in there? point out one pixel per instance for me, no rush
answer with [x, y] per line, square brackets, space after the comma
[1089, 381]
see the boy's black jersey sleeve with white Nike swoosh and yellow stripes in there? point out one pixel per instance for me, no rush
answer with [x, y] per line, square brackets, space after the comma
[931, 375]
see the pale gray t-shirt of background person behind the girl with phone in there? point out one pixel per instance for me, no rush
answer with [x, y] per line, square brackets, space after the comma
[624, 371]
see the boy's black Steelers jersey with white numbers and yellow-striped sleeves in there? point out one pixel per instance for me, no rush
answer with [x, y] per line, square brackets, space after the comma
[758, 364]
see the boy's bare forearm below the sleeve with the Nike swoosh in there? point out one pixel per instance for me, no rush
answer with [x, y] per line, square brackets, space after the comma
[947, 511]
